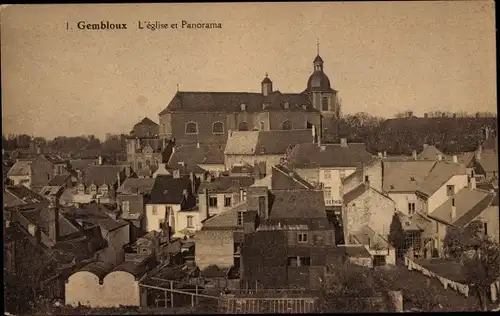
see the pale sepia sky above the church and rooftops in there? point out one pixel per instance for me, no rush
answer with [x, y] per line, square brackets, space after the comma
[382, 57]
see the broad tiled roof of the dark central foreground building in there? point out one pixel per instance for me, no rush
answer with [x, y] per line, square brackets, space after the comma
[296, 204]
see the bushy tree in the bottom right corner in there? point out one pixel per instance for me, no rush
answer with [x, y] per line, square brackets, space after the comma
[479, 255]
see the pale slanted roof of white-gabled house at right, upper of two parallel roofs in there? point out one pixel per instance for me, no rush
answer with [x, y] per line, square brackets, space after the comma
[441, 172]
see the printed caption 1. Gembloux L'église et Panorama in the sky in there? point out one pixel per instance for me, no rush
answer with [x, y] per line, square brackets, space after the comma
[105, 25]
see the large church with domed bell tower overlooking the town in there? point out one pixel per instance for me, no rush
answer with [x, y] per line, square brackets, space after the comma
[207, 117]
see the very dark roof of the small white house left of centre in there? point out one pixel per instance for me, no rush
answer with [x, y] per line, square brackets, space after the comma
[169, 190]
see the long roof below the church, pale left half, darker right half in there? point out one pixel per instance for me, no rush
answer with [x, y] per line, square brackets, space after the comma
[275, 142]
